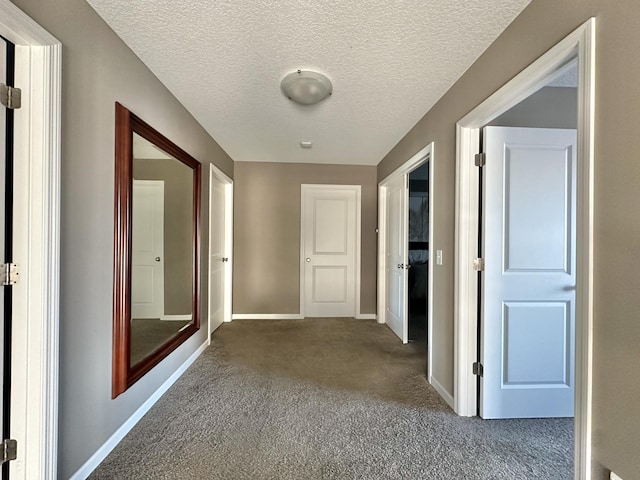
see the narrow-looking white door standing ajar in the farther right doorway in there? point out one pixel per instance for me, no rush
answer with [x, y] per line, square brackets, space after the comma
[397, 193]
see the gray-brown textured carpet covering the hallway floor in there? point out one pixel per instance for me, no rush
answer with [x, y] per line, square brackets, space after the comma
[325, 399]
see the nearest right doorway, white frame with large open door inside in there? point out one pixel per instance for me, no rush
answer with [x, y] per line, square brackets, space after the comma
[559, 191]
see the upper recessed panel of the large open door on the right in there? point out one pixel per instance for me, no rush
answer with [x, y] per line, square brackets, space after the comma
[537, 193]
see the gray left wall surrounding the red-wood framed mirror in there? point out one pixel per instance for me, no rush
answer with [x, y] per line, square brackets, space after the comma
[98, 70]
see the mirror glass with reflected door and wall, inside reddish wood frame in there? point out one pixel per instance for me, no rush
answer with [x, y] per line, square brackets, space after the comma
[162, 249]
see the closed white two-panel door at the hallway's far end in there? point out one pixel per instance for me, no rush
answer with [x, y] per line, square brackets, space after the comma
[329, 248]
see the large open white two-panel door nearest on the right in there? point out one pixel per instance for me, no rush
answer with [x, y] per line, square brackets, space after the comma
[528, 311]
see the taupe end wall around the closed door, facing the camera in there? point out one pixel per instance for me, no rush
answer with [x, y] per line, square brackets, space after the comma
[266, 251]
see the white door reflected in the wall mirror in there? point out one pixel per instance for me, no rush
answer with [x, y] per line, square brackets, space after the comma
[147, 252]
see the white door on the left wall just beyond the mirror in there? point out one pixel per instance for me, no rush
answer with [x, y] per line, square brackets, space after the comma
[218, 258]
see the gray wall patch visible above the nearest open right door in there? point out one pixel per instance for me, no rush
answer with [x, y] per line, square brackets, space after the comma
[549, 107]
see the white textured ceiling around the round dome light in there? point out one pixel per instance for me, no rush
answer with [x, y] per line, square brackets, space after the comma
[389, 61]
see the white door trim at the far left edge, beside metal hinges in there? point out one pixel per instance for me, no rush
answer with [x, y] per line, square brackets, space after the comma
[34, 396]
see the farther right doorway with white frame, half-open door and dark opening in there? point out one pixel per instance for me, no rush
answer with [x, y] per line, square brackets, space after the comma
[406, 255]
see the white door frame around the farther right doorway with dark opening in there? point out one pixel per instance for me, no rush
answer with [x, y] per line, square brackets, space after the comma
[424, 155]
